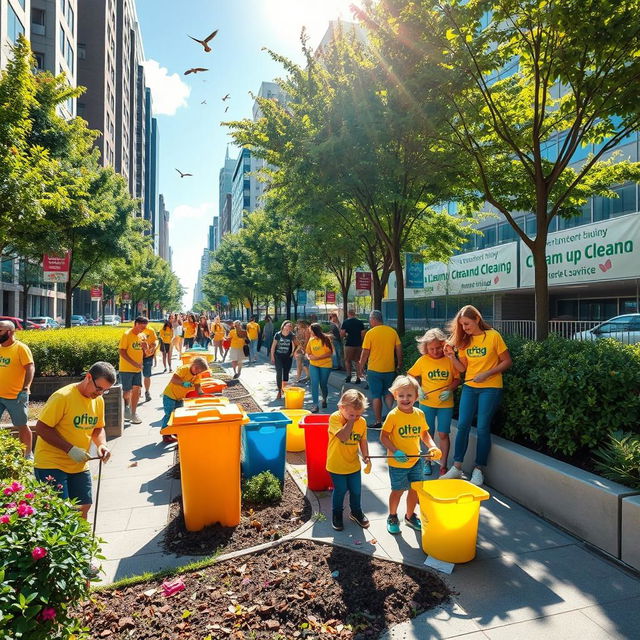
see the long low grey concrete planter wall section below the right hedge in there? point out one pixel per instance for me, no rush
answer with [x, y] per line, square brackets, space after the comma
[580, 502]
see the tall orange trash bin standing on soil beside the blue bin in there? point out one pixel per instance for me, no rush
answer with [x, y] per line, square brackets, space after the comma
[209, 441]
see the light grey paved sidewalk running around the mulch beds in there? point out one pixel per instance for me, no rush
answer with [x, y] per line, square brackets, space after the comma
[529, 579]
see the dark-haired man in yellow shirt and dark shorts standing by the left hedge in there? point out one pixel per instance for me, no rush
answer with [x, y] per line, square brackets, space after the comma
[130, 368]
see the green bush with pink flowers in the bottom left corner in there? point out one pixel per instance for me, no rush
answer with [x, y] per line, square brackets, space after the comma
[45, 554]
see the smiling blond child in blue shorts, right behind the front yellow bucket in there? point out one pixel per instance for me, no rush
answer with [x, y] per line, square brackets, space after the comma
[403, 429]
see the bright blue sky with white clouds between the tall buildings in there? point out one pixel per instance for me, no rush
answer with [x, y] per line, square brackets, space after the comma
[191, 137]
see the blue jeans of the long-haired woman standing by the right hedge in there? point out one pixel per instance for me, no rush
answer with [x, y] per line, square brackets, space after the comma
[485, 401]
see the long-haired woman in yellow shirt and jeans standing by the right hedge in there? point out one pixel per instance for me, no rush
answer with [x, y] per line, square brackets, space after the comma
[483, 357]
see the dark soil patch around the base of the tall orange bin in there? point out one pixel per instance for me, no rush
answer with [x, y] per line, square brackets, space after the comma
[258, 524]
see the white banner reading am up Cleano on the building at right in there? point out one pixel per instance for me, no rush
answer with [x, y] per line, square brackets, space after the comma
[606, 250]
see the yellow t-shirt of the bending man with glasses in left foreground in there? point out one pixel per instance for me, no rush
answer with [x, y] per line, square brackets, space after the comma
[74, 417]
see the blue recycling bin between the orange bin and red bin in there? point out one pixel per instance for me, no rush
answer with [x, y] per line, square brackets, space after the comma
[264, 440]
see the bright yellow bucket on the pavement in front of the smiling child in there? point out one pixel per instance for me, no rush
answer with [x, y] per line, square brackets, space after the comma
[450, 511]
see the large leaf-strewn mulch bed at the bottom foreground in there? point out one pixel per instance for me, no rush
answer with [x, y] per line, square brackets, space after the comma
[298, 589]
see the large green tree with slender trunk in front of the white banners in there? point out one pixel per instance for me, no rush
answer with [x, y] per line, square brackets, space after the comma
[520, 87]
